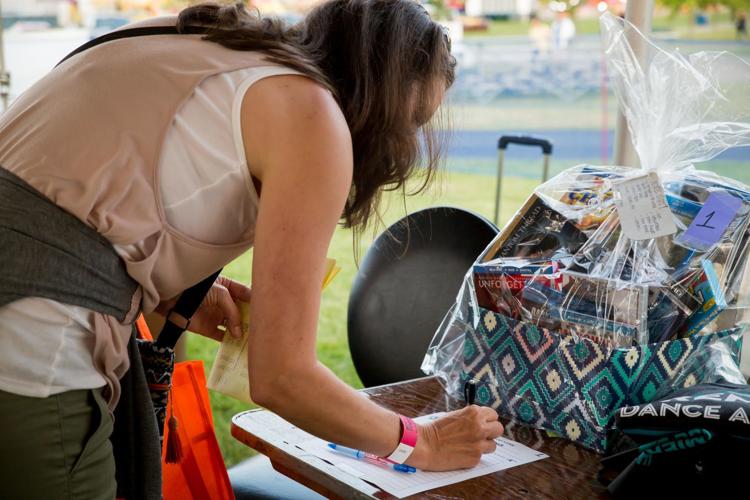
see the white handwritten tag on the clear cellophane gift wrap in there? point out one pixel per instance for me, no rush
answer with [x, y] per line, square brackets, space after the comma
[642, 207]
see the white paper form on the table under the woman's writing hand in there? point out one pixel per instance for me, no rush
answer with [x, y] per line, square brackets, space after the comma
[508, 454]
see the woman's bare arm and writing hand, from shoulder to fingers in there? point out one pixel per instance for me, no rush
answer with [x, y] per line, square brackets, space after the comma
[298, 144]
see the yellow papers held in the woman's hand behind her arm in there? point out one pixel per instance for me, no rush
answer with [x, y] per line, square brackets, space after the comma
[229, 371]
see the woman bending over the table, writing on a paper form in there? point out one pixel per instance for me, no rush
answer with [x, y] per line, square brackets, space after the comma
[164, 158]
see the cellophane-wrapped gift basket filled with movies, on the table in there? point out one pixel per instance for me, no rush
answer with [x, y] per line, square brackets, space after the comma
[616, 286]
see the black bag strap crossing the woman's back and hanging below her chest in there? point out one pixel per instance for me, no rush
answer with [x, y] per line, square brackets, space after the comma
[178, 318]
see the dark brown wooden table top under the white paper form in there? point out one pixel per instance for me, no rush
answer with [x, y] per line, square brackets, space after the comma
[569, 472]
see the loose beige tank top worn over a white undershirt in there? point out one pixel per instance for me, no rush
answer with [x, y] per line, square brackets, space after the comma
[89, 136]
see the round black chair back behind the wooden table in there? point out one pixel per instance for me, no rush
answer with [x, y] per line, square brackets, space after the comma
[406, 283]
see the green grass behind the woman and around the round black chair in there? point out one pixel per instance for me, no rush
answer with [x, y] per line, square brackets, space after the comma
[473, 192]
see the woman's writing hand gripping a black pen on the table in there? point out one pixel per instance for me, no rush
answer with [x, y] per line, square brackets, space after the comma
[457, 440]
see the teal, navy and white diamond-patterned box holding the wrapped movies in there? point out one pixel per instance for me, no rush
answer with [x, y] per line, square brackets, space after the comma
[542, 379]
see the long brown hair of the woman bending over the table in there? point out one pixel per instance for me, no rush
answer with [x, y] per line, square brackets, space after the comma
[385, 62]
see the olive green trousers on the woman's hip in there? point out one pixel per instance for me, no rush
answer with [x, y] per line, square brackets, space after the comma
[56, 447]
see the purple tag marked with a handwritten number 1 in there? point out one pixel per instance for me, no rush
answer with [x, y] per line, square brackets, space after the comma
[711, 222]
